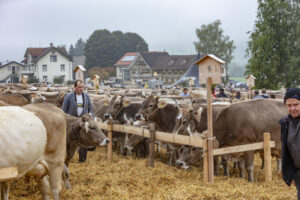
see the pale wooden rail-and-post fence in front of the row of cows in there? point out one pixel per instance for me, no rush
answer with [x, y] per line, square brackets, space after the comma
[194, 141]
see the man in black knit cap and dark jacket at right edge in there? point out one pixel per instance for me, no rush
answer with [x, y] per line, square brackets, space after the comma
[290, 139]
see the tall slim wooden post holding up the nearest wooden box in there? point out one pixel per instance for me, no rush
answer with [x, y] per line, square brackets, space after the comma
[210, 132]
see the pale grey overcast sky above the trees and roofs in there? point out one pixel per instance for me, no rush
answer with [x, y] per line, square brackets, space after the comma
[164, 24]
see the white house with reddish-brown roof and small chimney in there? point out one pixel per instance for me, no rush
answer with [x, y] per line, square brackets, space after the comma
[48, 63]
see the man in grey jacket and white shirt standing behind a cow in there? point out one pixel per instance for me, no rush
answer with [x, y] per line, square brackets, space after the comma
[76, 104]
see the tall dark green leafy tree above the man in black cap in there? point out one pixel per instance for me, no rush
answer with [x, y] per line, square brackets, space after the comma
[272, 47]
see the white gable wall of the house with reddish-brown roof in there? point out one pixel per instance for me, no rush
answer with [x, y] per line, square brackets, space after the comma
[53, 68]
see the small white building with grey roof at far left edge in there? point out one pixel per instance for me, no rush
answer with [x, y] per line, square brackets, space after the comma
[10, 72]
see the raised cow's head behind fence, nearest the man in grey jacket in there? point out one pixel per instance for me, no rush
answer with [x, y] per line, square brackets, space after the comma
[114, 107]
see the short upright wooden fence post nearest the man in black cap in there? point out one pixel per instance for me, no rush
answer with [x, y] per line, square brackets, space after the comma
[267, 157]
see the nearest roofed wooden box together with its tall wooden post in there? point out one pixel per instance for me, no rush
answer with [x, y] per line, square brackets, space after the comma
[210, 71]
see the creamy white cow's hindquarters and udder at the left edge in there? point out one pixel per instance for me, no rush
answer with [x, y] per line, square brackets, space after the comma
[23, 139]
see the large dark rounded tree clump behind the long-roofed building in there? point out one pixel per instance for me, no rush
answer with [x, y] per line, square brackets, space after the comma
[104, 48]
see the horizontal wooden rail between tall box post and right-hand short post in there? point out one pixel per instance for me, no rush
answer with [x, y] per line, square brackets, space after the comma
[241, 148]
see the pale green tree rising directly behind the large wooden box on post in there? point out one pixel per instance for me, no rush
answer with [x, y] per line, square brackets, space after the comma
[212, 40]
